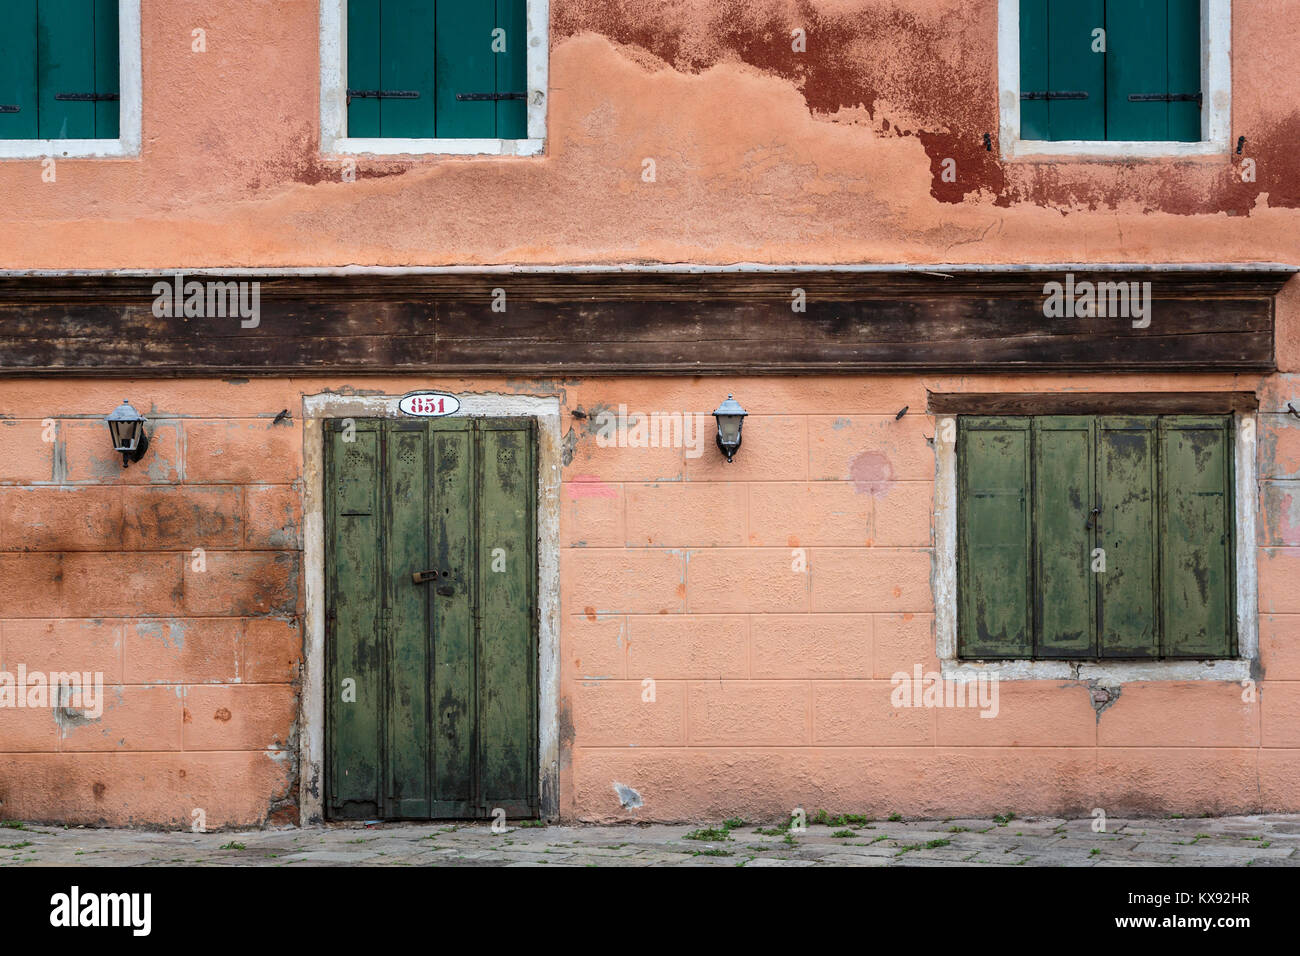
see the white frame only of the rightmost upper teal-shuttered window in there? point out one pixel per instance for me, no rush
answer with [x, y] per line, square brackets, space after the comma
[1216, 86]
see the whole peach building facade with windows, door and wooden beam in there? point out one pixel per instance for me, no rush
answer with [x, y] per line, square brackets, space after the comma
[427, 310]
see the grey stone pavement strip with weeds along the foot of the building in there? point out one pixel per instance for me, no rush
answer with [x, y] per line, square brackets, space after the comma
[1256, 841]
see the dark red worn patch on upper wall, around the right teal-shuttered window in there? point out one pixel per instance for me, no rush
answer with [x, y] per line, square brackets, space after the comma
[939, 67]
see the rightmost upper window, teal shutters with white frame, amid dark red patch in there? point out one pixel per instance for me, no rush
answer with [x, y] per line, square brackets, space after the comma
[1115, 77]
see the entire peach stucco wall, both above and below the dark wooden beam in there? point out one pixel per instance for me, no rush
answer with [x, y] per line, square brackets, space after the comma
[773, 686]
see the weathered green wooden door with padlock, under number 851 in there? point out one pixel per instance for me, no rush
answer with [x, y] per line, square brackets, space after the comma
[432, 685]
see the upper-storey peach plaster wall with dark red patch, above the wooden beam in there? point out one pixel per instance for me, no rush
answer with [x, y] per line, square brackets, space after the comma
[762, 154]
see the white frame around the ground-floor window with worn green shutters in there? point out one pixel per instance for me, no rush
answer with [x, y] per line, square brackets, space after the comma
[1107, 673]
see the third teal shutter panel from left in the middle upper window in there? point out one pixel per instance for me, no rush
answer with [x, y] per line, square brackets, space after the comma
[466, 64]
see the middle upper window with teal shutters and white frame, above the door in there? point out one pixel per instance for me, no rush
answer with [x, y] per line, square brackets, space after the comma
[434, 76]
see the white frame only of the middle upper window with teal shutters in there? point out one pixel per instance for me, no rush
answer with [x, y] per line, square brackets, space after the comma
[335, 140]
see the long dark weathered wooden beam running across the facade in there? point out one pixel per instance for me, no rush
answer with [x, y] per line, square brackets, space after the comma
[638, 323]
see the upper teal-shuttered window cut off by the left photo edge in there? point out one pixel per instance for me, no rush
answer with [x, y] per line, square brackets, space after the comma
[70, 79]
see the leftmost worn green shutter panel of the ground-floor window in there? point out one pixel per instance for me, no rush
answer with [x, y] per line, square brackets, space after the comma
[994, 538]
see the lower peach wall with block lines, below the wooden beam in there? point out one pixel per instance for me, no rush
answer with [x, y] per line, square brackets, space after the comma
[772, 685]
